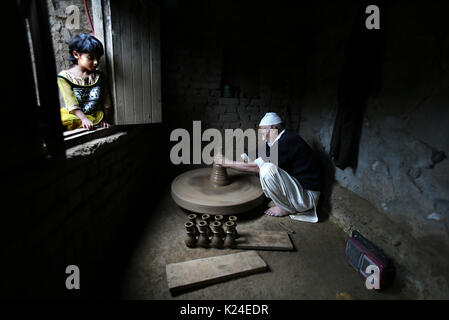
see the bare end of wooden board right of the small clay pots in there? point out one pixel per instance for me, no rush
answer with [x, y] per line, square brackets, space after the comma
[264, 240]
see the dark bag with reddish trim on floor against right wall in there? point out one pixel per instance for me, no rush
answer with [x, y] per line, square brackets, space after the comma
[370, 261]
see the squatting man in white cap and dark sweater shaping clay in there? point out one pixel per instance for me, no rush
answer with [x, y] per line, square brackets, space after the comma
[295, 184]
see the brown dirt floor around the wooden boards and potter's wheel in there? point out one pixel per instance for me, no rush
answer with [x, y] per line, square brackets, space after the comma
[316, 269]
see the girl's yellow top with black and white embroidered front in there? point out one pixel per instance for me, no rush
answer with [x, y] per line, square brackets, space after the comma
[88, 94]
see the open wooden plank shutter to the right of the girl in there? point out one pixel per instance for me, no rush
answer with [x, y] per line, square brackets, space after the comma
[130, 32]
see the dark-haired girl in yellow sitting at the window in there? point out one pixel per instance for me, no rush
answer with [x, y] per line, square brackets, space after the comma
[83, 87]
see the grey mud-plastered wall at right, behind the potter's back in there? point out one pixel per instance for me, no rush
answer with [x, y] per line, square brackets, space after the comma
[403, 166]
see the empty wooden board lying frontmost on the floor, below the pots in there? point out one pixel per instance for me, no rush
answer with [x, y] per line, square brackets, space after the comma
[195, 273]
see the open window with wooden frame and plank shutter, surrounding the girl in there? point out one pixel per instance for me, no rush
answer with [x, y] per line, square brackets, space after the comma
[130, 33]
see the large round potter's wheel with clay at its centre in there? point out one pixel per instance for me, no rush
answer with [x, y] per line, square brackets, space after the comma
[217, 191]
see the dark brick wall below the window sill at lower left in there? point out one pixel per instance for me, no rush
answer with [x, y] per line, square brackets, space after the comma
[76, 212]
